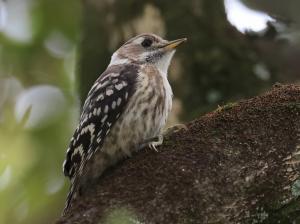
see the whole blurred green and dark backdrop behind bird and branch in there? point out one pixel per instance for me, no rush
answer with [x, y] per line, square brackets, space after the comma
[52, 51]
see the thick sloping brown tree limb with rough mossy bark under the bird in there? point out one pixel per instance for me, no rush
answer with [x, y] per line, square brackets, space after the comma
[238, 164]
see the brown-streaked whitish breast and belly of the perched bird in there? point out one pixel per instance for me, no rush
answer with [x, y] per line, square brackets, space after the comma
[145, 115]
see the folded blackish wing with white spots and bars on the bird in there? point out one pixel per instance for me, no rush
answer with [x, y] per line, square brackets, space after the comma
[104, 104]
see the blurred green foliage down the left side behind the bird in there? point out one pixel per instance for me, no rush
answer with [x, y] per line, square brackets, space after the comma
[32, 186]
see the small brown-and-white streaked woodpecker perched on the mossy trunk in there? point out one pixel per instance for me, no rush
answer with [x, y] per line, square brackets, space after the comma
[125, 110]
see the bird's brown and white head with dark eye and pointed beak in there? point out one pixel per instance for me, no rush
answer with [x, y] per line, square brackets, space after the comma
[147, 48]
